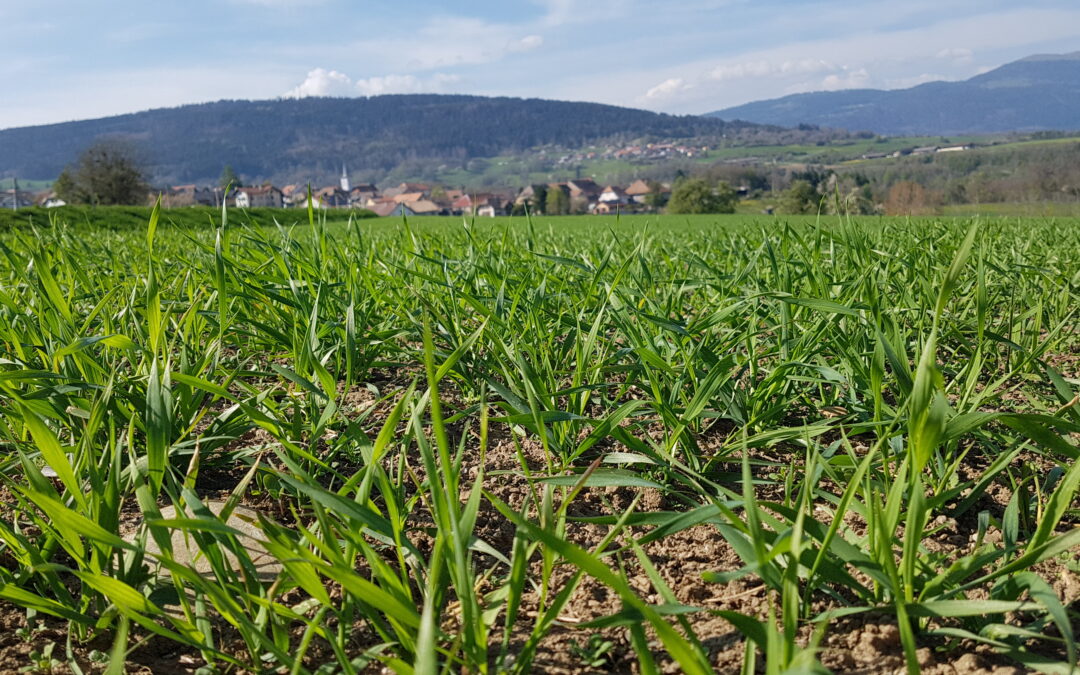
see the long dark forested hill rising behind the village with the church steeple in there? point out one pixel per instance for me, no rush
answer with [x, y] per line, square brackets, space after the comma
[310, 139]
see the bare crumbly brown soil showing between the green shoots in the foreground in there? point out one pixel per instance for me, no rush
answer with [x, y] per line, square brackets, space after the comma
[868, 643]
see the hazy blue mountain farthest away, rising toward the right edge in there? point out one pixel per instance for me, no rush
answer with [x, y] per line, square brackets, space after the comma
[1037, 93]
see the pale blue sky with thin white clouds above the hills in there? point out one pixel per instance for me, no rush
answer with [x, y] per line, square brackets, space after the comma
[66, 60]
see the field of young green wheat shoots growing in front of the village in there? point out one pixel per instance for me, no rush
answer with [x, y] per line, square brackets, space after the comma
[649, 444]
